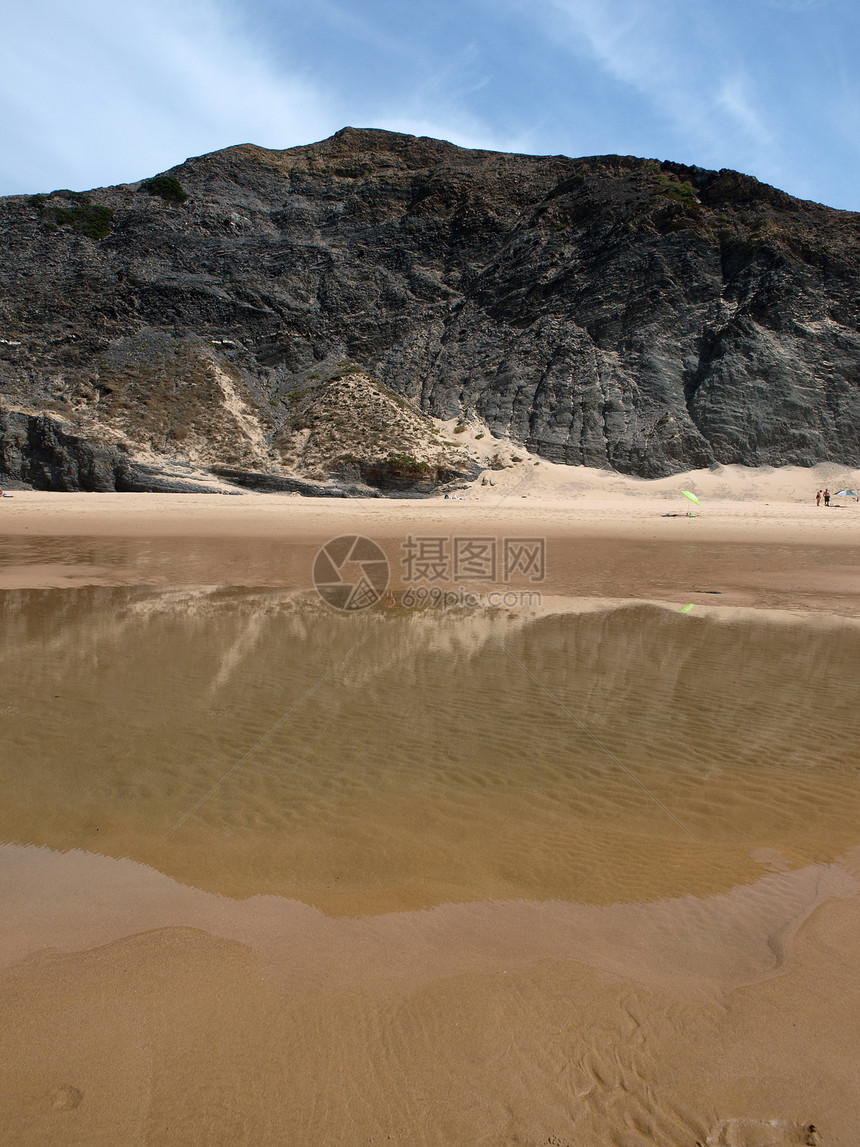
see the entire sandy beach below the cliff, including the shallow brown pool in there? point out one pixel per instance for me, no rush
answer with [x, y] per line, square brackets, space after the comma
[444, 956]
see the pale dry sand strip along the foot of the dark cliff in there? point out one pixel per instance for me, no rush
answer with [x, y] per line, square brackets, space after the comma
[738, 504]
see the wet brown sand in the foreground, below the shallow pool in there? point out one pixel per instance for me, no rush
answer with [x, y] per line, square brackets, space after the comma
[723, 1023]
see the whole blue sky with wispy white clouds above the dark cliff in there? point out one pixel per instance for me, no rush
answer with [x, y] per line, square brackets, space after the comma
[96, 93]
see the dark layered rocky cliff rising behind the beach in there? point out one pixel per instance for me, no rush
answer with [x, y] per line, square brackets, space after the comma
[608, 311]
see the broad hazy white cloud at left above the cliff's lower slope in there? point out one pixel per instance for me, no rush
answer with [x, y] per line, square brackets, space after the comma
[95, 93]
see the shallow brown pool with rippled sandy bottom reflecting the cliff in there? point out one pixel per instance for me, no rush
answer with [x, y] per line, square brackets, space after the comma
[248, 743]
